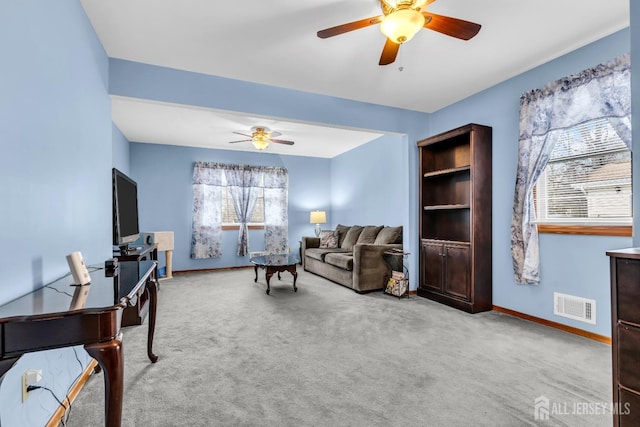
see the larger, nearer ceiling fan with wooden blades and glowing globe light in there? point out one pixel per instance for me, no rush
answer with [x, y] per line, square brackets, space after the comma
[401, 20]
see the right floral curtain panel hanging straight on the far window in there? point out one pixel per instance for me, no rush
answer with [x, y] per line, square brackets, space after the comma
[276, 220]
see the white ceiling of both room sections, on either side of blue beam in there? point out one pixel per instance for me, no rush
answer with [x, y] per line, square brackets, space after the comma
[227, 38]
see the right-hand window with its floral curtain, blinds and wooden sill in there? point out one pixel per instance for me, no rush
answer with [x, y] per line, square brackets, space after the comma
[573, 173]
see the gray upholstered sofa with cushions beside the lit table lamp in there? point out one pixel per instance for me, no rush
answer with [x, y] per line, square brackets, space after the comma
[351, 255]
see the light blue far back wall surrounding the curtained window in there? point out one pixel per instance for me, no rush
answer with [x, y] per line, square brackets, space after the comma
[165, 197]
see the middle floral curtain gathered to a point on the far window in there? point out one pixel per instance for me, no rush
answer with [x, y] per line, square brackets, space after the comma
[243, 183]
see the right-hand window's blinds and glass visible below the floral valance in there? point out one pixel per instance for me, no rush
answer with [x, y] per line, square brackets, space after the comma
[587, 180]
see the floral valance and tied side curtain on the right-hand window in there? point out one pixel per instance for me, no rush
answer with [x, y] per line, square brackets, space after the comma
[600, 92]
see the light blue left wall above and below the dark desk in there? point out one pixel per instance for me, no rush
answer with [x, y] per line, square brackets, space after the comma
[55, 127]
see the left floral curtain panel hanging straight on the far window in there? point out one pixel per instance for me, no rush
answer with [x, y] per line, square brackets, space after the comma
[206, 240]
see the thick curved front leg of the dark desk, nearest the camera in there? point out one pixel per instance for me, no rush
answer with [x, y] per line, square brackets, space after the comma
[110, 358]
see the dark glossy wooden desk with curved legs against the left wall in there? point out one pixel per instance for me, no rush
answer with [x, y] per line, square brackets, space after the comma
[45, 319]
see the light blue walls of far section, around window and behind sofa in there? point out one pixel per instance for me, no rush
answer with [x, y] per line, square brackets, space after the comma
[370, 193]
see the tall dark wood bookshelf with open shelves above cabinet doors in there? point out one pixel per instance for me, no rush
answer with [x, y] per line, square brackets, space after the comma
[455, 218]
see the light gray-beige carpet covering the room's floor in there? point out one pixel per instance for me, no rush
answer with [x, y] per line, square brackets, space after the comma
[230, 355]
